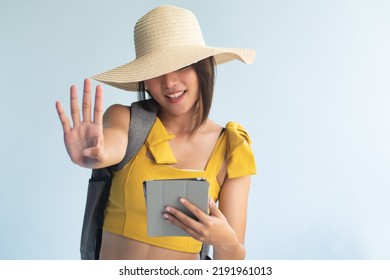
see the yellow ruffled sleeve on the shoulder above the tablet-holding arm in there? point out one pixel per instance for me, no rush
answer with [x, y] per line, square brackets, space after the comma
[240, 158]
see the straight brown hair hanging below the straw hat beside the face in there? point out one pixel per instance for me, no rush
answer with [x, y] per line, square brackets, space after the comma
[205, 71]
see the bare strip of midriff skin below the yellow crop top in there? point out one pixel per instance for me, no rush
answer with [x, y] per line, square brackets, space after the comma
[117, 247]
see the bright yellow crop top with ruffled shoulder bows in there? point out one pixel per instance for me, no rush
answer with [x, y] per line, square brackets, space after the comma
[126, 212]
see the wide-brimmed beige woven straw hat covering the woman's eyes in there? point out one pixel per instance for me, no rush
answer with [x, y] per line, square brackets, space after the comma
[166, 39]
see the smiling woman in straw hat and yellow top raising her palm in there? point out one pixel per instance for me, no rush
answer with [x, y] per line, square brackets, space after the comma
[175, 67]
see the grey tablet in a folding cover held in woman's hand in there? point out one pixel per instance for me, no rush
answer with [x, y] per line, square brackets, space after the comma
[162, 193]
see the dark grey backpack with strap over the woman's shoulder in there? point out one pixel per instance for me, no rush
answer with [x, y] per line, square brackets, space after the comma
[143, 115]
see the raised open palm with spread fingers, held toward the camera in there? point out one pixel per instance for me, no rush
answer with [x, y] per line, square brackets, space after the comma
[84, 141]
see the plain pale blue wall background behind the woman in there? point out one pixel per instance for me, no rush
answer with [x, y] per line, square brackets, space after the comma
[316, 103]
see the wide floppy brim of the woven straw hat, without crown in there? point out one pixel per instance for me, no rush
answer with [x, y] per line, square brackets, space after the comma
[155, 64]
